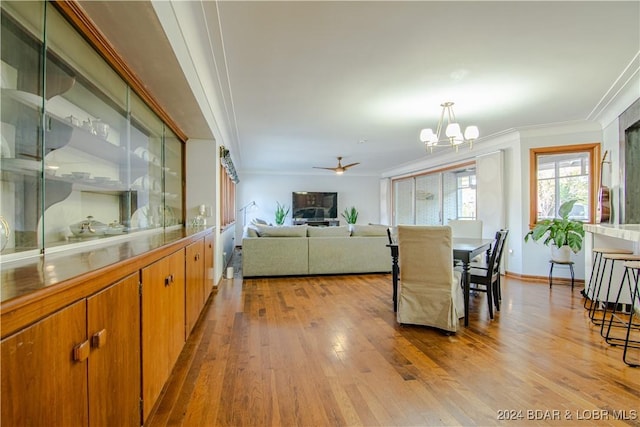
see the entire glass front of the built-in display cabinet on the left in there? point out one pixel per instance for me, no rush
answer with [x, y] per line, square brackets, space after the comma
[83, 157]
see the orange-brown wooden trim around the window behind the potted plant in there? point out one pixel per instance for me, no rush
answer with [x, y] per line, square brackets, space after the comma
[594, 168]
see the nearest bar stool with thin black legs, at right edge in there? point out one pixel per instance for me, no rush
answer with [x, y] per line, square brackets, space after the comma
[630, 277]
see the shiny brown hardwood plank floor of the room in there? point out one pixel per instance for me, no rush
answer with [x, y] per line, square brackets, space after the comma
[317, 351]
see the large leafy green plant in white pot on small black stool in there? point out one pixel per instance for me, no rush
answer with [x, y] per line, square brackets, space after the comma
[562, 233]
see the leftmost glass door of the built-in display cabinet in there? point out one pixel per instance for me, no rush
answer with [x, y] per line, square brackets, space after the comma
[22, 86]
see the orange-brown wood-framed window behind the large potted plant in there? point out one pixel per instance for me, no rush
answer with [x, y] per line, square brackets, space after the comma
[560, 174]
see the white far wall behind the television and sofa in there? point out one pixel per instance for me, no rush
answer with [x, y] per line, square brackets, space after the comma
[363, 192]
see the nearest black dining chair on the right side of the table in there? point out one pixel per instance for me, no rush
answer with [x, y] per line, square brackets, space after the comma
[486, 278]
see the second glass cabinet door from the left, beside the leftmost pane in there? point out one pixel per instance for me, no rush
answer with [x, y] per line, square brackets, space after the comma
[86, 194]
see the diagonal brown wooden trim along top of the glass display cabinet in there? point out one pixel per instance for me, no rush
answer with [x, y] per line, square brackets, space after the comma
[76, 15]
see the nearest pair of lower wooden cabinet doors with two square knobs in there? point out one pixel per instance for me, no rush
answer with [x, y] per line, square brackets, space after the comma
[78, 366]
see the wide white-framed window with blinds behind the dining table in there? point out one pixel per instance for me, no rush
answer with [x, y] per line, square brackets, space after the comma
[436, 197]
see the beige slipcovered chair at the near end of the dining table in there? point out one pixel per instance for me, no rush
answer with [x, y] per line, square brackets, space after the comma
[429, 291]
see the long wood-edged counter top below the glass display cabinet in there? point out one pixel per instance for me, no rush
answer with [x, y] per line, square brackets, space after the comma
[36, 287]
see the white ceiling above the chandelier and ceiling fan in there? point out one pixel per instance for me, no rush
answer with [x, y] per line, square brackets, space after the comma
[292, 85]
